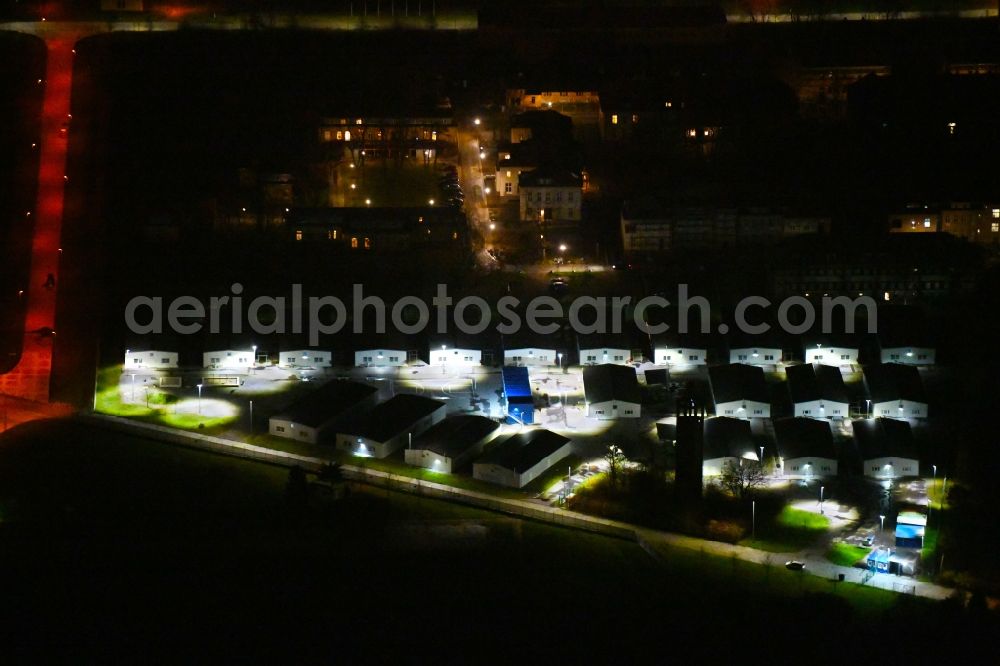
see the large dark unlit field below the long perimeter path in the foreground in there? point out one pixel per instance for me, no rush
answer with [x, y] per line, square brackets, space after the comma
[146, 546]
